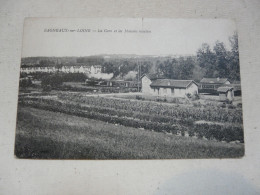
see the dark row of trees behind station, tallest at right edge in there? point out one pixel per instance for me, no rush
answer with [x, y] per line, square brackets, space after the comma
[216, 62]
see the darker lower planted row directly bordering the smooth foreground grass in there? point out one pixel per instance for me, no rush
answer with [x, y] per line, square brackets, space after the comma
[210, 131]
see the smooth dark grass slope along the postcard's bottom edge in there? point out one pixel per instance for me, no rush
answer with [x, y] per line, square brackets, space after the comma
[50, 135]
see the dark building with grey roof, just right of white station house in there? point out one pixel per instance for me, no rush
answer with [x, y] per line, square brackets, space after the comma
[212, 84]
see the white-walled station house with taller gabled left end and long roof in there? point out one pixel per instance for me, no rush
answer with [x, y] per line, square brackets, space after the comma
[168, 87]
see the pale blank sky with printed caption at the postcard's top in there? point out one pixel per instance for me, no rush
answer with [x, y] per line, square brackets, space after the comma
[162, 36]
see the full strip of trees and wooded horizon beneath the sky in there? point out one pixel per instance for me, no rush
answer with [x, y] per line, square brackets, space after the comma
[208, 62]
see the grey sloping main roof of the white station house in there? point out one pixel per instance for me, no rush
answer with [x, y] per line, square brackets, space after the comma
[171, 83]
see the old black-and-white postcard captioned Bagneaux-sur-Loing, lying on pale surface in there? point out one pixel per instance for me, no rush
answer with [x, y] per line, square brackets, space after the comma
[129, 89]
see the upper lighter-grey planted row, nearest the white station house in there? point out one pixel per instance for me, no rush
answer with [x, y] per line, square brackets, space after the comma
[209, 114]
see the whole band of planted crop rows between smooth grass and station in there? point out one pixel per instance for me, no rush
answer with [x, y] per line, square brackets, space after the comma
[150, 115]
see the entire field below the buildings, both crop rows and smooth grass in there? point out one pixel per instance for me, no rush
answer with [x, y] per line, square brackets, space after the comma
[76, 125]
